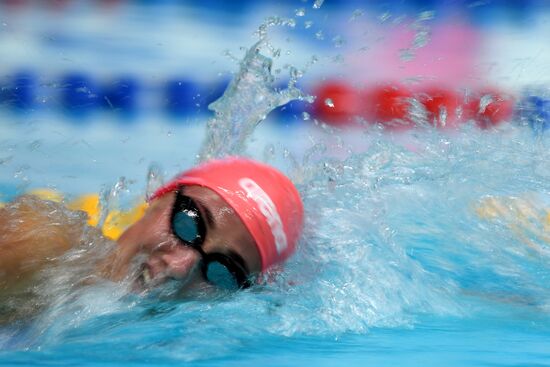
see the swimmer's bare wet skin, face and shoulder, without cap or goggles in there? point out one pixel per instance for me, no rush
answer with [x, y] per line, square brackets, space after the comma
[35, 234]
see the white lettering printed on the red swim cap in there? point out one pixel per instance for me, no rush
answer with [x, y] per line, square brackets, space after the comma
[268, 209]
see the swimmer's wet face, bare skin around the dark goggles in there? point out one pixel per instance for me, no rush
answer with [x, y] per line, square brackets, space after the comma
[168, 257]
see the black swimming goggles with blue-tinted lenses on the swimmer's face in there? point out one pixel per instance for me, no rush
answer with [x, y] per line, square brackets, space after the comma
[223, 270]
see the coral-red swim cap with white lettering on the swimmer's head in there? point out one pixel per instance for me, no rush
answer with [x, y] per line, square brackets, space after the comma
[266, 201]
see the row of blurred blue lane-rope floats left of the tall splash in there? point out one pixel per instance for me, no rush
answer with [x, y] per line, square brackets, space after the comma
[79, 94]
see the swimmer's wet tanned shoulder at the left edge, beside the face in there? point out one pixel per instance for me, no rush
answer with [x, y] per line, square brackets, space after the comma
[34, 234]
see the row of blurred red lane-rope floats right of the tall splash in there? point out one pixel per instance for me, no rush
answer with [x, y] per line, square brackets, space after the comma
[397, 107]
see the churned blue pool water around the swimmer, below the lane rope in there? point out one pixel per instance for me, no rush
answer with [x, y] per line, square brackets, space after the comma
[395, 268]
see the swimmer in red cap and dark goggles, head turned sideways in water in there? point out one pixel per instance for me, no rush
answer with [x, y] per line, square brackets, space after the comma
[219, 224]
